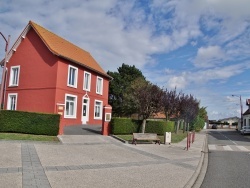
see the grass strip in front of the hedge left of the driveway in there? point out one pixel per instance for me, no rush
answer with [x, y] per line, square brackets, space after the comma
[31, 137]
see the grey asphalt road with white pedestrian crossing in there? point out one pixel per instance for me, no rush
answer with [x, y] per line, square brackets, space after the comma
[228, 160]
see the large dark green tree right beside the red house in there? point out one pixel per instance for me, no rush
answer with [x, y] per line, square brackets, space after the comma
[119, 85]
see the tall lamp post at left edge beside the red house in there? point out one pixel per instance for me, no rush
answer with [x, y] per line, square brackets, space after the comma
[4, 70]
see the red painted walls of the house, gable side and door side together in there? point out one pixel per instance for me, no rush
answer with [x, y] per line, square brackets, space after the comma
[43, 81]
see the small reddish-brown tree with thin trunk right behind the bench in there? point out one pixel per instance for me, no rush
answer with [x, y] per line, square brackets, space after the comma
[148, 98]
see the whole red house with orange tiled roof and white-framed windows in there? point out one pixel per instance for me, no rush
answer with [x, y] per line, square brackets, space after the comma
[48, 74]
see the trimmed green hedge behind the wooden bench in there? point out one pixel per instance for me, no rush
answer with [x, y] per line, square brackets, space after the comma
[129, 126]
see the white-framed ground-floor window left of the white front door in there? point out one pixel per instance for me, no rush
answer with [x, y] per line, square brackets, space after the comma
[70, 108]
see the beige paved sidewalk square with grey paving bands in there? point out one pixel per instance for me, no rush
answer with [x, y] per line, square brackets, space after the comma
[98, 161]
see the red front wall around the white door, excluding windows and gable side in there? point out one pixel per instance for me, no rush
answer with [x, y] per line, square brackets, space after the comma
[62, 88]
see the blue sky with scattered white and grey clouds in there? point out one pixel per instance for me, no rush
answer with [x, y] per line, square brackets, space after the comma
[200, 47]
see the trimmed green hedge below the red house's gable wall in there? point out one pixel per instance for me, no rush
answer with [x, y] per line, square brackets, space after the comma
[29, 122]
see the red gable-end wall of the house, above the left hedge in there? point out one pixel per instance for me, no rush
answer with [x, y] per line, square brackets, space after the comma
[37, 79]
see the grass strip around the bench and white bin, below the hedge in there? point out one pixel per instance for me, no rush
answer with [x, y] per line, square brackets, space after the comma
[175, 138]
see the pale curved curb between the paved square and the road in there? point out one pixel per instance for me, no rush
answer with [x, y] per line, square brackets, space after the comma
[197, 178]
